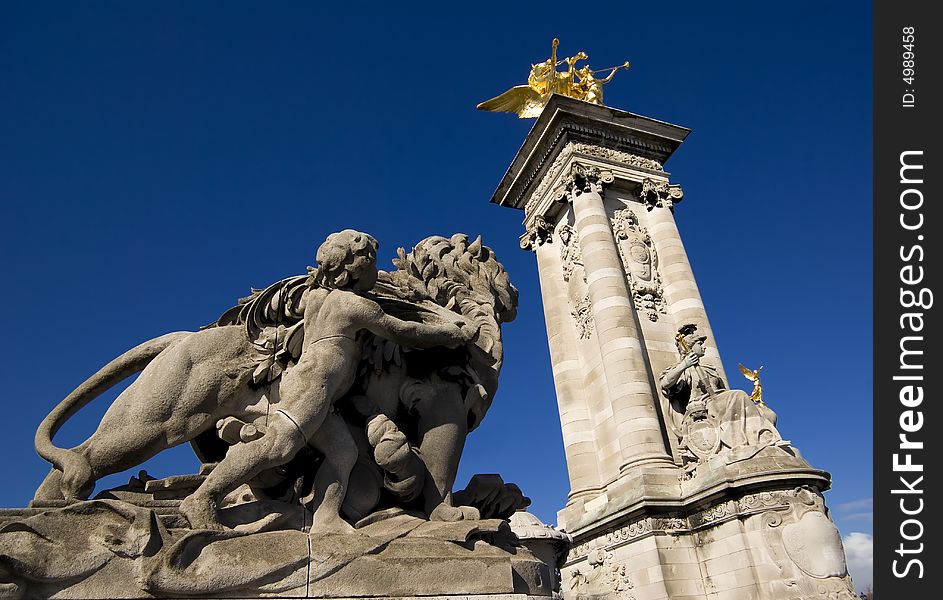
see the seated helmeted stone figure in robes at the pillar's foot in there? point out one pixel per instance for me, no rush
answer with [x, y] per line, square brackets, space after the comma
[691, 382]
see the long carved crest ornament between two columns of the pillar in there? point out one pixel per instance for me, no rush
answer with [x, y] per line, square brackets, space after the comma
[640, 262]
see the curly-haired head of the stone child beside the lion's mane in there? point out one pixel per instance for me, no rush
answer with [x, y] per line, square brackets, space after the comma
[346, 260]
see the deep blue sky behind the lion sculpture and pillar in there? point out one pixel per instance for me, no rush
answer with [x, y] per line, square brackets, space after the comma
[158, 159]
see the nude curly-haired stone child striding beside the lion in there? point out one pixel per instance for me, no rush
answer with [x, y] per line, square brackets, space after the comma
[336, 309]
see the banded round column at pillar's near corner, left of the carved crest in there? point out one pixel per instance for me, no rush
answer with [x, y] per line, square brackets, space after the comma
[638, 426]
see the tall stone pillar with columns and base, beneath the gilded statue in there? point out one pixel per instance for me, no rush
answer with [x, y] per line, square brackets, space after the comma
[680, 487]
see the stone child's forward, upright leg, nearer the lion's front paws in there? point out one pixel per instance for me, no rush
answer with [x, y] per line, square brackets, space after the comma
[332, 439]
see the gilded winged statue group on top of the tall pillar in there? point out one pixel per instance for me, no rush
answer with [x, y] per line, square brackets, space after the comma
[528, 101]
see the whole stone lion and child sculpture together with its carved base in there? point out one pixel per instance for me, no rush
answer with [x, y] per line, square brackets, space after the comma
[314, 405]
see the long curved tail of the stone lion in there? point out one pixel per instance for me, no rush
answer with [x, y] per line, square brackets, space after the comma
[131, 362]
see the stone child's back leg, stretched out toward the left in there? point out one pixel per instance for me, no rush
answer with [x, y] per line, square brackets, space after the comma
[282, 440]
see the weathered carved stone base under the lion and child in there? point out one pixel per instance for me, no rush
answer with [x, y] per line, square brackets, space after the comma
[113, 549]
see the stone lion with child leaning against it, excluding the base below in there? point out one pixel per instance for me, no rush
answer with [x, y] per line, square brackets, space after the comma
[425, 343]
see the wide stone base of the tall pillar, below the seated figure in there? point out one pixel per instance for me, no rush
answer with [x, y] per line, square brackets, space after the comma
[755, 530]
